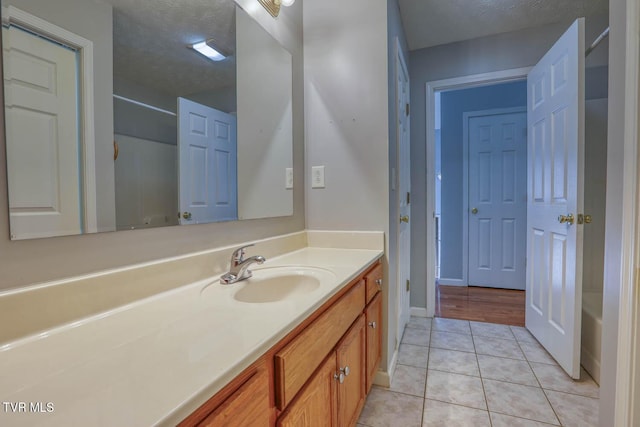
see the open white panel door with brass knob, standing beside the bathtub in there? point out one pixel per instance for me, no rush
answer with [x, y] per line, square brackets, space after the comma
[555, 180]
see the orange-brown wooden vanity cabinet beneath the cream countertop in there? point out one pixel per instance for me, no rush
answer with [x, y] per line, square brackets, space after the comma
[318, 375]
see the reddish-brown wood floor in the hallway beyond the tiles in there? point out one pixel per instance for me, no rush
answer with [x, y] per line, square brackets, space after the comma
[491, 305]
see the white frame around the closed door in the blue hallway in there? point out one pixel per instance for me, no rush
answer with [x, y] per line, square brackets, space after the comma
[465, 177]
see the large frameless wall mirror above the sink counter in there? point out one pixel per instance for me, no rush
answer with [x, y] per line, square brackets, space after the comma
[114, 121]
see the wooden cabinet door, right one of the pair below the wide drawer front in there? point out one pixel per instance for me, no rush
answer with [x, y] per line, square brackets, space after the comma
[351, 361]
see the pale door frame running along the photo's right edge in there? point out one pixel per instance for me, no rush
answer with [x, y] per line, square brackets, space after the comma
[621, 305]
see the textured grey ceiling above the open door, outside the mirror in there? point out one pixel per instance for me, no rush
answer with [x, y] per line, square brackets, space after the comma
[435, 22]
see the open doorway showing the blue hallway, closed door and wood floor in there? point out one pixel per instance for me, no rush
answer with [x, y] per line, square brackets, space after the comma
[480, 213]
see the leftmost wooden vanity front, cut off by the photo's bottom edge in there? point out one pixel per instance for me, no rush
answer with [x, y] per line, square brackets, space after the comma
[248, 406]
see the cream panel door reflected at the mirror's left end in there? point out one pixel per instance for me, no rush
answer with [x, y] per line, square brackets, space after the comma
[43, 155]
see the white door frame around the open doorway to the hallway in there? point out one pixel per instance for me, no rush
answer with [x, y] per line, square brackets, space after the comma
[464, 82]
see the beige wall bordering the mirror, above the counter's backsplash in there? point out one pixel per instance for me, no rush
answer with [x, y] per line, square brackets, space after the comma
[33, 261]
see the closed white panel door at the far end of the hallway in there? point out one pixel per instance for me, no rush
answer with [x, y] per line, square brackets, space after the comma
[497, 199]
